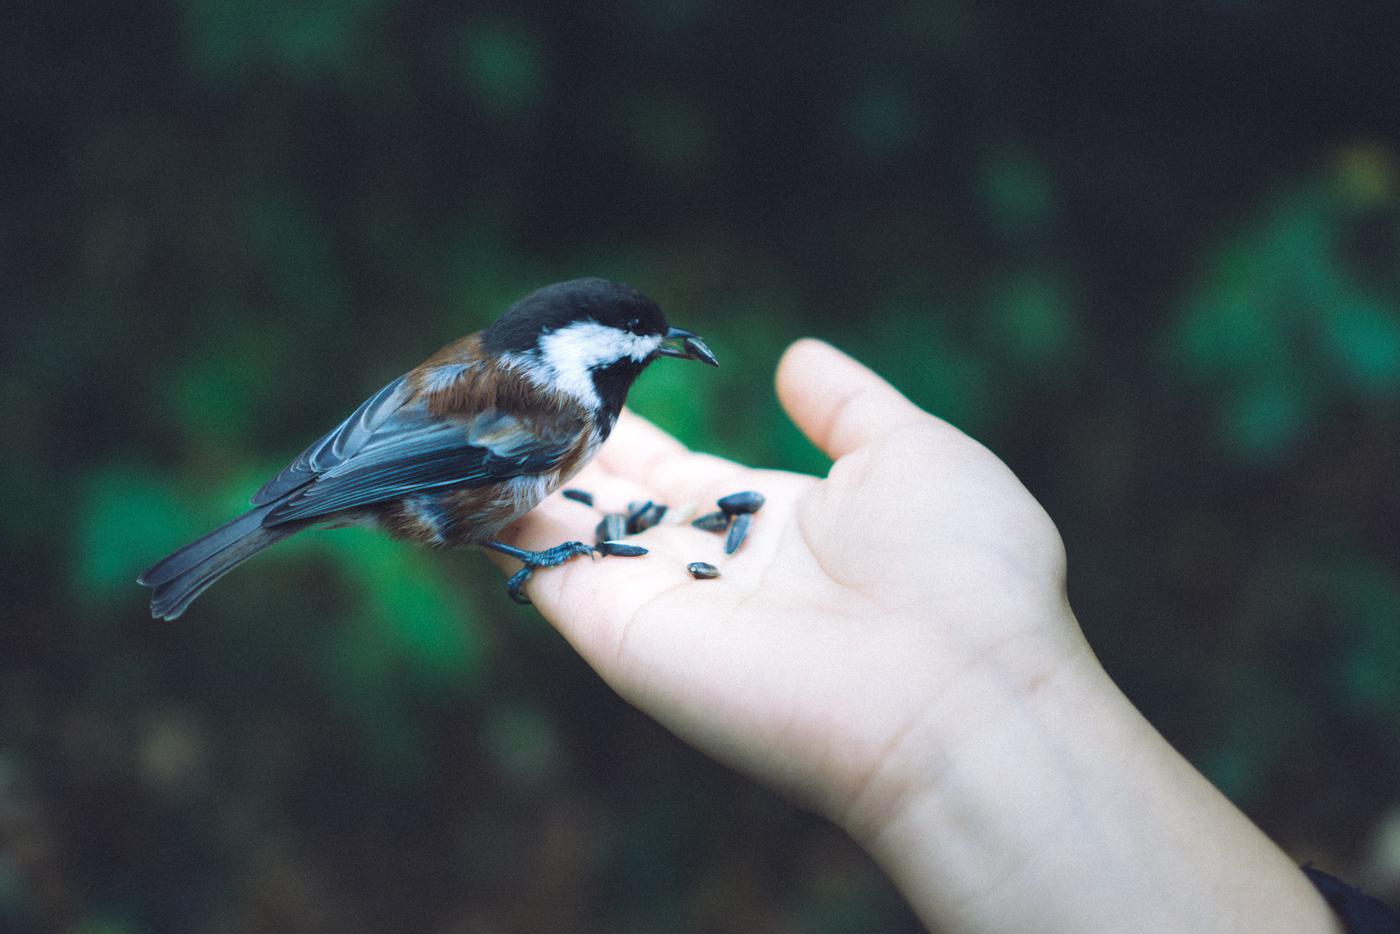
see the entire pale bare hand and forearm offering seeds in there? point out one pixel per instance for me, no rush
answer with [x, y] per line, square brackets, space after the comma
[894, 649]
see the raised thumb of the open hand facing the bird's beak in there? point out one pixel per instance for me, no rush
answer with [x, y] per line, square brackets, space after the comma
[839, 404]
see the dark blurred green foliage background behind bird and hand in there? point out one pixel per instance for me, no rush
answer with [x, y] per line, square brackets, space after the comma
[1149, 254]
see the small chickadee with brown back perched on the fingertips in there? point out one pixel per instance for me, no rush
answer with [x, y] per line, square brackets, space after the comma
[464, 445]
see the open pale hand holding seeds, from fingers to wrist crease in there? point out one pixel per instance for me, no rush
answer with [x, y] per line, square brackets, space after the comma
[843, 627]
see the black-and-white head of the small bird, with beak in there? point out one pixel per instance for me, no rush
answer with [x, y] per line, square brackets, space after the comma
[590, 338]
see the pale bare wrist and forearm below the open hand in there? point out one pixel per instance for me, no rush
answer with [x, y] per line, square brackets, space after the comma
[1059, 809]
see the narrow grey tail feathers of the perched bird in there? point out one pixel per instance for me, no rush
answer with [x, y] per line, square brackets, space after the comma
[190, 572]
